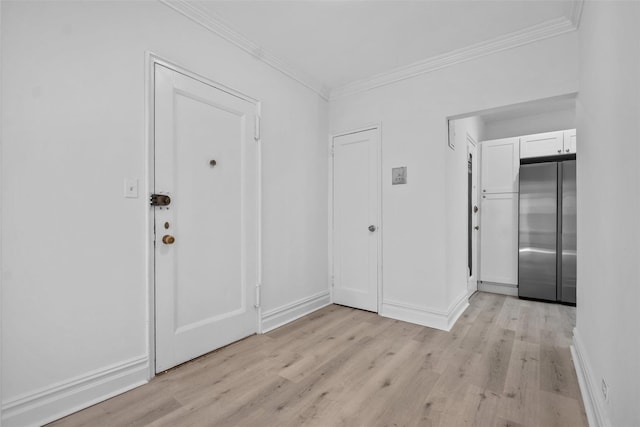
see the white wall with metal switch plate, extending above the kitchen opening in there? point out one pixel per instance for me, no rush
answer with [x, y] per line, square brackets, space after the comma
[417, 231]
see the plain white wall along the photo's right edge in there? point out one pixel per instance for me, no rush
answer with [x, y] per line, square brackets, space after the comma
[607, 335]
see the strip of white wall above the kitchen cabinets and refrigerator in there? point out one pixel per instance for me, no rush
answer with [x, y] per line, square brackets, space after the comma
[531, 124]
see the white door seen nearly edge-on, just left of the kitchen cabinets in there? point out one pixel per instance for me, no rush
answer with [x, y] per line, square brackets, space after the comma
[473, 217]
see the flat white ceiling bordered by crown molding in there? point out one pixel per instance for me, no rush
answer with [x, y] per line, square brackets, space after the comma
[339, 42]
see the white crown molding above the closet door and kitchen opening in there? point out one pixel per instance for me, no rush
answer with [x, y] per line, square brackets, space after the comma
[545, 30]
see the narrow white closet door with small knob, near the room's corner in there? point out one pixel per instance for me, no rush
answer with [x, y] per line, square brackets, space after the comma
[356, 220]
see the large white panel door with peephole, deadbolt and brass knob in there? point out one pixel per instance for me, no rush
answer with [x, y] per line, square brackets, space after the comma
[206, 161]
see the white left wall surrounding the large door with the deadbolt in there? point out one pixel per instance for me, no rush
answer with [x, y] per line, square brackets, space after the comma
[75, 265]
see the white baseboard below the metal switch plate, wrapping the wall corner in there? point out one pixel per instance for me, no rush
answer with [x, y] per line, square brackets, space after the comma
[433, 318]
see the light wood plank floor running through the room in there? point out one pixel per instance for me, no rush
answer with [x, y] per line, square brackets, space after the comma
[505, 363]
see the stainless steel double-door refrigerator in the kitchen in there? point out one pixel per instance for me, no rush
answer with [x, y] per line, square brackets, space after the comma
[547, 231]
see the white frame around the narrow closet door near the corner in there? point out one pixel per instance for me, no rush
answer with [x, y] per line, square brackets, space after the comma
[378, 128]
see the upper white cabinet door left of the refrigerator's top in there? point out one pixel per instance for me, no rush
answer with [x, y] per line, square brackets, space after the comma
[499, 165]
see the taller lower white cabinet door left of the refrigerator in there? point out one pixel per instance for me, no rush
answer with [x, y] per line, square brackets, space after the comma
[499, 238]
